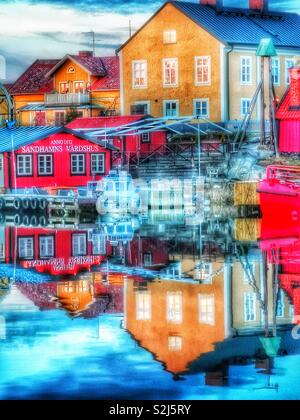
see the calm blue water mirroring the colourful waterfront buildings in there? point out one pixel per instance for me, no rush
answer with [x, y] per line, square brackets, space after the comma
[150, 306]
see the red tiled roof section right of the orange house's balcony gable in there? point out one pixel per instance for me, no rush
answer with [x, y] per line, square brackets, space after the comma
[112, 79]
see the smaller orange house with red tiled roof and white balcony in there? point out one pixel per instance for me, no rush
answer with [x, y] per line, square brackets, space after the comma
[53, 92]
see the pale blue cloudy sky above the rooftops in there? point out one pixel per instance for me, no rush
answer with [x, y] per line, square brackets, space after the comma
[31, 29]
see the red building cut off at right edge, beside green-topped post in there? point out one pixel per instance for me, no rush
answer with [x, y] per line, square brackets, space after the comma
[288, 115]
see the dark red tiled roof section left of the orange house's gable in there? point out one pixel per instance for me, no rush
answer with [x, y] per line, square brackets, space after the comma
[34, 79]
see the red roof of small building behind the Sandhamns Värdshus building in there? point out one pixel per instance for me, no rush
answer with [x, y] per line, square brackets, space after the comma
[103, 122]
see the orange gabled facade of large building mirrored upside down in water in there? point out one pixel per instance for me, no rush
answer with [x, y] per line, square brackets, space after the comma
[176, 321]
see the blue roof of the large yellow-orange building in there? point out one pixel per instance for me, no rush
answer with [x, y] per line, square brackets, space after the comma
[239, 26]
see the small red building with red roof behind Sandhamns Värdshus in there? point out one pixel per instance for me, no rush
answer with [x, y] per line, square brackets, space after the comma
[131, 144]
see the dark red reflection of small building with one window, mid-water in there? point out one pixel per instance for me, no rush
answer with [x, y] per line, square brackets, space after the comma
[147, 253]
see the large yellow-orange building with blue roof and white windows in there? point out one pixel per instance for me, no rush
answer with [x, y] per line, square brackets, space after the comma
[197, 59]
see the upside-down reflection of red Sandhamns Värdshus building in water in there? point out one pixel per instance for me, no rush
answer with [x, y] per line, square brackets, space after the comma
[56, 252]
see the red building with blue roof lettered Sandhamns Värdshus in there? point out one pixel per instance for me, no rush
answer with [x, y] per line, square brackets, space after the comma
[51, 157]
